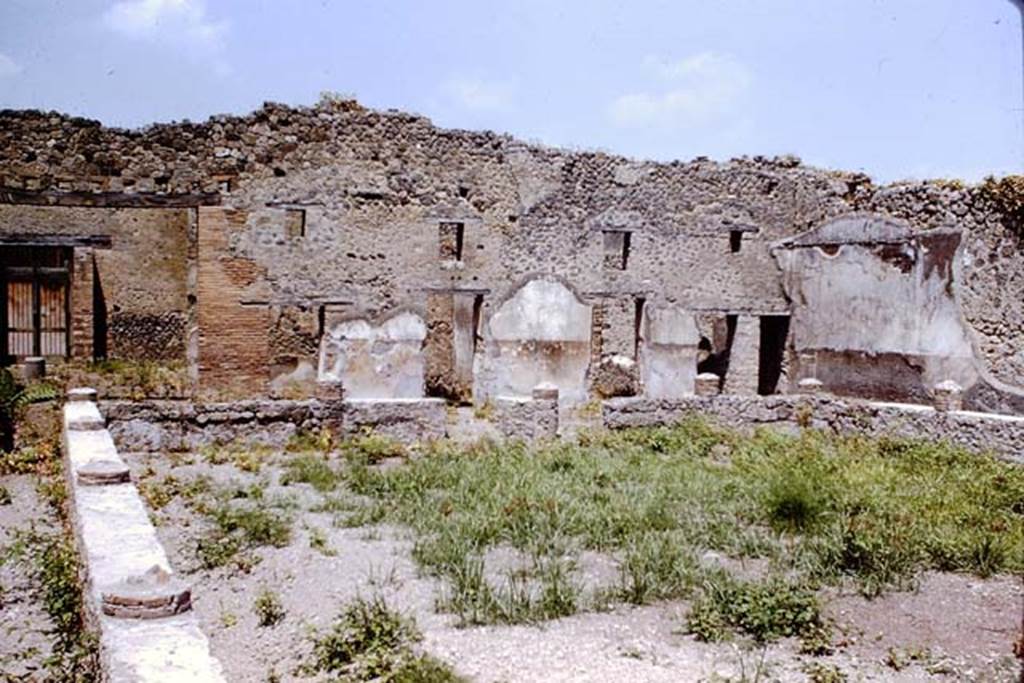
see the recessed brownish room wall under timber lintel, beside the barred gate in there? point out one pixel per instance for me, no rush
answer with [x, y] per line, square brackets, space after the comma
[143, 275]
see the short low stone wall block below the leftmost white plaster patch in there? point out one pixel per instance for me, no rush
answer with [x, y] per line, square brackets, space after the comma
[406, 420]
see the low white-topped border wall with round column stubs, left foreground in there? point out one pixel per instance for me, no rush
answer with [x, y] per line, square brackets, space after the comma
[156, 636]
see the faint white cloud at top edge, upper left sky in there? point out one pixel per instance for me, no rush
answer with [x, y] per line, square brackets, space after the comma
[182, 24]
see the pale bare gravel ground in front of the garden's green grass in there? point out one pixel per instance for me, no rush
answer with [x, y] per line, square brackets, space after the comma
[954, 628]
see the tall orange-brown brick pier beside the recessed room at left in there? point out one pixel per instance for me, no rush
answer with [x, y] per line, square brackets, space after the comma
[234, 346]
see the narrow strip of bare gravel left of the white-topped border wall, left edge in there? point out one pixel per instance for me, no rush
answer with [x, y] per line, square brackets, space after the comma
[24, 623]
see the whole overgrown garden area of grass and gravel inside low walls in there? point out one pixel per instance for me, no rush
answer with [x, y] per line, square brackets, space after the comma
[690, 552]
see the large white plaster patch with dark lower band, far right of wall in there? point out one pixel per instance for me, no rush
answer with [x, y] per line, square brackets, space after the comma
[877, 319]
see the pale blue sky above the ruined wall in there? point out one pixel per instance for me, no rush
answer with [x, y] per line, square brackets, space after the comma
[895, 89]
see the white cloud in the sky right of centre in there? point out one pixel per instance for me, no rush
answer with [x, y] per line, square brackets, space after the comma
[697, 90]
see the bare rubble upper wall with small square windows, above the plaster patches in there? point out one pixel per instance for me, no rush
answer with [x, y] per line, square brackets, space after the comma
[376, 186]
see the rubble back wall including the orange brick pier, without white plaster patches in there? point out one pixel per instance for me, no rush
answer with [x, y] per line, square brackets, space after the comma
[312, 219]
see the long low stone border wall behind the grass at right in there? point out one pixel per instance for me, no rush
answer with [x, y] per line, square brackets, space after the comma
[1001, 435]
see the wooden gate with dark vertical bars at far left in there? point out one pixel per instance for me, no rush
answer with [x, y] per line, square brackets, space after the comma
[36, 317]
